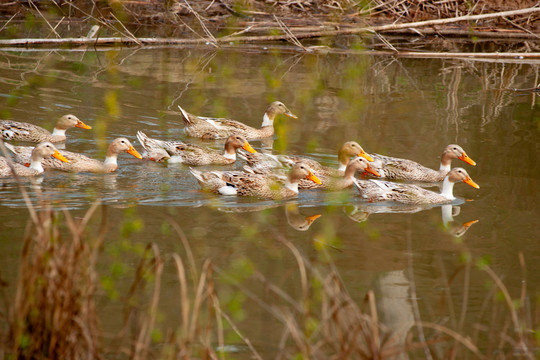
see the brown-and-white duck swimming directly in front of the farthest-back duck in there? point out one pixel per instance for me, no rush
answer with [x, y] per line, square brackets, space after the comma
[190, 154]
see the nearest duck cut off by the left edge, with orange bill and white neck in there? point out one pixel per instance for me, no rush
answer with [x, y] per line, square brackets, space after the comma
[41, 151]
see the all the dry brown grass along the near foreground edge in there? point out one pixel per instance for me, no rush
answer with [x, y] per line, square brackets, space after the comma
[53, 312]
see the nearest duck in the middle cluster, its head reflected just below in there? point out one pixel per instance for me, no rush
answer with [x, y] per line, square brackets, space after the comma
[255, 185]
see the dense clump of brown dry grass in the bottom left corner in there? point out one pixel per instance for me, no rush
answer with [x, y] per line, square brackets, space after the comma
[53, 315]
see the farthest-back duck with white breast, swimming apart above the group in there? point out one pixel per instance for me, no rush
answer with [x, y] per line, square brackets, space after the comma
[219, 128]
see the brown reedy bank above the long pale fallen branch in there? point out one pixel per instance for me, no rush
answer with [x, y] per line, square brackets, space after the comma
[211, 17]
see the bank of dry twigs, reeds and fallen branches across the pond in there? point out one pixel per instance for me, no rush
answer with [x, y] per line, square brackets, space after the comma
[225, 21]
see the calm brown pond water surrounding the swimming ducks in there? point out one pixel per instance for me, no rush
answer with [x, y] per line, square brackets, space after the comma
[410, 108]
